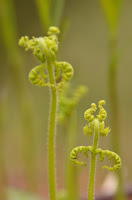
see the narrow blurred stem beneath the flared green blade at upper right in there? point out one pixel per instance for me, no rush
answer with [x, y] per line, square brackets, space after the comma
[112, 78]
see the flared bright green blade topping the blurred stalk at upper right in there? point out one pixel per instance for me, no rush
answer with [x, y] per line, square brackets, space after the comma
[112, 11]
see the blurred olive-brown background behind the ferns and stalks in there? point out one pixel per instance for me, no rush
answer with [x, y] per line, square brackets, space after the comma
[85, 46]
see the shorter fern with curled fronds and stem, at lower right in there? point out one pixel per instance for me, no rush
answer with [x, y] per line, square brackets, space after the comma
[95, 126]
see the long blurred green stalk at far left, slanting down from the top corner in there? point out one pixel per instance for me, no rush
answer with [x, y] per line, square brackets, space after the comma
[9, 31]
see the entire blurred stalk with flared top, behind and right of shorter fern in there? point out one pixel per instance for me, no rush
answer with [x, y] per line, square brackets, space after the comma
[112, 13]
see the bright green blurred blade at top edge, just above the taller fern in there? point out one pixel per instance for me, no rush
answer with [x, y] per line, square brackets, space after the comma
[44, 10]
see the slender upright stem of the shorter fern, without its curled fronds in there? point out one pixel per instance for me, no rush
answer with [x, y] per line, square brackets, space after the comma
[93, 162]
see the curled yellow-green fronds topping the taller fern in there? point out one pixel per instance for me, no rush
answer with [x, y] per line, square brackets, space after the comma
[44, 49]
